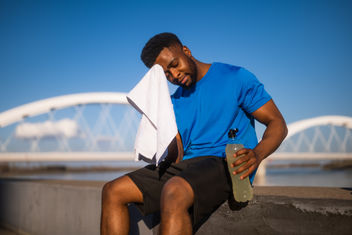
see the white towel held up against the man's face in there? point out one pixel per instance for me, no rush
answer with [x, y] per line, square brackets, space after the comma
[158, 127]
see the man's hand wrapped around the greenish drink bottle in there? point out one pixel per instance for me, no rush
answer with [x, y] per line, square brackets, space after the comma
[250, 160]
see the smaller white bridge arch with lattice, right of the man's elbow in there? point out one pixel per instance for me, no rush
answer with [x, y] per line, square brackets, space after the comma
[326, 137]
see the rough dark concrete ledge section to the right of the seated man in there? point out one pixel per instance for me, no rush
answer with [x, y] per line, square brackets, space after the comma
[287, 210]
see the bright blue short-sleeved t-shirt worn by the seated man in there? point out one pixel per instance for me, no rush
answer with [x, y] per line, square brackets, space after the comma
[222, 100]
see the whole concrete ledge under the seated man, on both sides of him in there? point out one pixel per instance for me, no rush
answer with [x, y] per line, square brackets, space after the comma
[73, 207]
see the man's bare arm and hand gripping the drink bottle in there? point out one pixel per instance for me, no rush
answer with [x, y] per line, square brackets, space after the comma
[275, 133]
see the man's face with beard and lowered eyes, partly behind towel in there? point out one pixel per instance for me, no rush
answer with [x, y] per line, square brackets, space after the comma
[178, 66]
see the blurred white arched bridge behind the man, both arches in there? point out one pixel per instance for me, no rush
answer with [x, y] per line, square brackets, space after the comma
[102, 126]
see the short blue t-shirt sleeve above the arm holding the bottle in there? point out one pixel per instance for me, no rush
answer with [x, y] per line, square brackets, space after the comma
[252, 94]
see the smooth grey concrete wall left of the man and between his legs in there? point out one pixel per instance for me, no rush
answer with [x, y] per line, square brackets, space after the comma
[57, 207]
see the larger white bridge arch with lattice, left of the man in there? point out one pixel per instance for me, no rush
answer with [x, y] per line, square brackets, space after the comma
[77, 127]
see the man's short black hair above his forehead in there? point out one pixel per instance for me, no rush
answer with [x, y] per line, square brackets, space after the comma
[154, 46]
